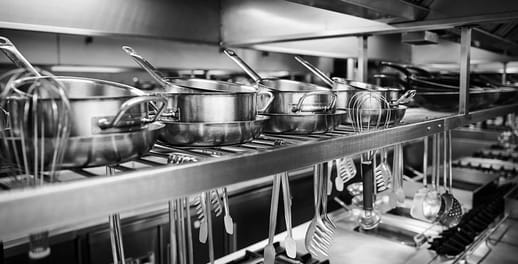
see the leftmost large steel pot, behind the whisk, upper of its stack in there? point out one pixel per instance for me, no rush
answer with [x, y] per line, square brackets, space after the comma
[96, 106]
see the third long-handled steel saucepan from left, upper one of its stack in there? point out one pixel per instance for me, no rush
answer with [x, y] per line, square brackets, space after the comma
[291, 96]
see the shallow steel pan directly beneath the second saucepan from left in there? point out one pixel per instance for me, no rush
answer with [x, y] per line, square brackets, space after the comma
[202, 134]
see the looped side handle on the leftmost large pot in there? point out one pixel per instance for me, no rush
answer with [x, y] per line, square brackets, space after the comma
[104, 123]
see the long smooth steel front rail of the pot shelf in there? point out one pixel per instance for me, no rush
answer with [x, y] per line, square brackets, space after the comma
[50, 207]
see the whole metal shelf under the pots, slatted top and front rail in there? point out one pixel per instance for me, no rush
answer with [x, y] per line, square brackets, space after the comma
[149, 180]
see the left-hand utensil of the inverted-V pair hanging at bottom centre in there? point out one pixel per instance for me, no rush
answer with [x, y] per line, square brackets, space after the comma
[269, 250]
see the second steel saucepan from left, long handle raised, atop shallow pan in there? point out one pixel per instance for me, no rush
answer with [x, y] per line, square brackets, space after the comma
[200, 100]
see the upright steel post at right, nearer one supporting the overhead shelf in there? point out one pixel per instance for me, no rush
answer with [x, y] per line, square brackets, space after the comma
[465, 46]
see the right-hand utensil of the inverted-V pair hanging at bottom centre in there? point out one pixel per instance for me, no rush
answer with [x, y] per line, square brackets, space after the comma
[289, 242]
